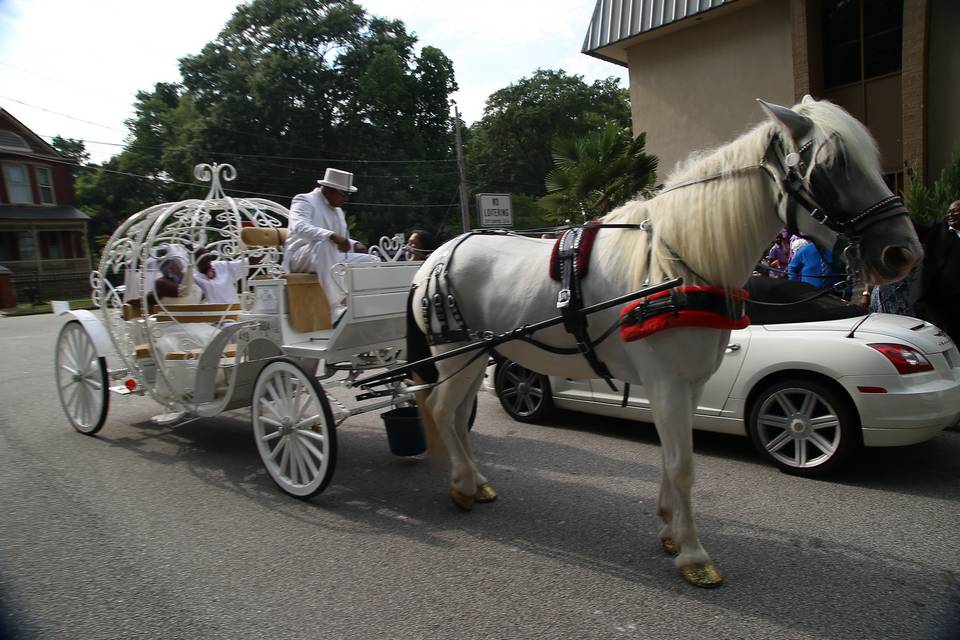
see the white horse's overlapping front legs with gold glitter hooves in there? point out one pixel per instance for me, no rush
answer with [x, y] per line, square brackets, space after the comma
[672, 401]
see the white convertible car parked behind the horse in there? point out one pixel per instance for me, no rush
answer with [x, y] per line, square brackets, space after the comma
[810, 383]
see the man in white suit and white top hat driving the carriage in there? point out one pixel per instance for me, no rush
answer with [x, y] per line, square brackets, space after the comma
[318, 236]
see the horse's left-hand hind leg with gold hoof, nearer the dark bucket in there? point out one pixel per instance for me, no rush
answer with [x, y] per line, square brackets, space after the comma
[445, 404]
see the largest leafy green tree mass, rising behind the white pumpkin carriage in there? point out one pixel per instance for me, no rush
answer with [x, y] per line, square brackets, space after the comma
[288, 88]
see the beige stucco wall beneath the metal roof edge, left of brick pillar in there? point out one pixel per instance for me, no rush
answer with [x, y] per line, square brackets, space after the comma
[695, 88]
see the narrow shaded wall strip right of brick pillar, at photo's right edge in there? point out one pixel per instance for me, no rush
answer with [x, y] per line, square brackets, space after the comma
[943, 86]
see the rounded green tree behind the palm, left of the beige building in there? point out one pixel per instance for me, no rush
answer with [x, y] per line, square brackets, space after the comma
[509, 149]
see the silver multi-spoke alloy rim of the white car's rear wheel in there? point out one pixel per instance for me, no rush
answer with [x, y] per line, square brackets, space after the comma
[799, 428]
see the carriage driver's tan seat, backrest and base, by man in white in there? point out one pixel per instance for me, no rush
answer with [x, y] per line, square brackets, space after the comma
[307, 306]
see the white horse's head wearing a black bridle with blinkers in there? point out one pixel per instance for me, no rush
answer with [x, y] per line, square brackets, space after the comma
[827, 167]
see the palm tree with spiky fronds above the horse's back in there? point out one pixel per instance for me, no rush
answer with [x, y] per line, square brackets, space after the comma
[596, 173]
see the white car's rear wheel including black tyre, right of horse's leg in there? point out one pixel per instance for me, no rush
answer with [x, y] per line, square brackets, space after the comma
[804, 427]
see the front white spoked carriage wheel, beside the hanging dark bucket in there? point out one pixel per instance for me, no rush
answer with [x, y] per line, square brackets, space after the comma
[294, 429]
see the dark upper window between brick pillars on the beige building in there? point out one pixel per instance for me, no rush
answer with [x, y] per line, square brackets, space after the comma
[861, 40]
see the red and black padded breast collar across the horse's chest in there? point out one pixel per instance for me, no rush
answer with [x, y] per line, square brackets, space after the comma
[690, 306]
